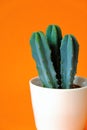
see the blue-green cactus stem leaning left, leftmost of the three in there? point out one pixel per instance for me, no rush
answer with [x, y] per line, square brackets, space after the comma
[42, 55]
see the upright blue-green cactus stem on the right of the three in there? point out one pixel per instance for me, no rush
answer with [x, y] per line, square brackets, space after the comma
[69, 56]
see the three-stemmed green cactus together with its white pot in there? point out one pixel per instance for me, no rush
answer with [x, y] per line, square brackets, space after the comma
[59, 98]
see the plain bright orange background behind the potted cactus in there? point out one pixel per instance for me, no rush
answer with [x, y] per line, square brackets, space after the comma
[18, 19]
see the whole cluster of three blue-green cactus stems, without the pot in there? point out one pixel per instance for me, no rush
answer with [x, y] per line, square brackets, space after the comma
[56, 57]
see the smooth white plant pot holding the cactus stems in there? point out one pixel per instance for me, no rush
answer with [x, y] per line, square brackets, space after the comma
[59, 109]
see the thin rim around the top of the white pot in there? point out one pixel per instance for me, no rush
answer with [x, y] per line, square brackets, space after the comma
[54, 89]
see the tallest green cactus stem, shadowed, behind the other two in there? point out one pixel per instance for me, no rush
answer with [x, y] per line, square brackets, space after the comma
[54, 37]
